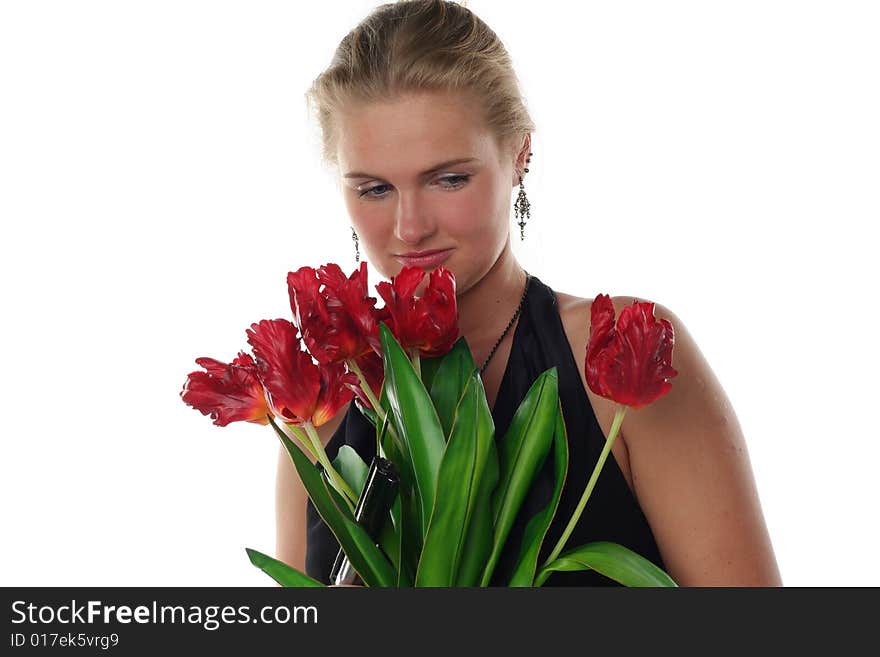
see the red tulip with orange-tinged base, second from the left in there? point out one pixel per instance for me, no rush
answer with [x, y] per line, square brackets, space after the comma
[296, 389]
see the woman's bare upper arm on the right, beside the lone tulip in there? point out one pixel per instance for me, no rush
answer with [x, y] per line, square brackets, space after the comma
[693, 478]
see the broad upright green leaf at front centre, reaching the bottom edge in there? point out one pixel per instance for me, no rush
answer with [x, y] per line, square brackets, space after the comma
[458, 486]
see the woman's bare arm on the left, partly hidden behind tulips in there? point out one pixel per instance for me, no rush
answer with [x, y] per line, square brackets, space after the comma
[290, 501]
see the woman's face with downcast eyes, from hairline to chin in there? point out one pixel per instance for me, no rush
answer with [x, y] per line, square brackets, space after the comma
[404, 196]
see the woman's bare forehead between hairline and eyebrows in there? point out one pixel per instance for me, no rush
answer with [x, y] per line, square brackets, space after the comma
[407, 134]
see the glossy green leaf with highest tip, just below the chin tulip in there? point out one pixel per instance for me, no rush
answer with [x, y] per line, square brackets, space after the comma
[418, 428]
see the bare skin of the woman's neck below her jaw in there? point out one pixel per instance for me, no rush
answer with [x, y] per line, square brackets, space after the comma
[485, 308]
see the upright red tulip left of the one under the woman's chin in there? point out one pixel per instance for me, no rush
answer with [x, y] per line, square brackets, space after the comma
[337, 322]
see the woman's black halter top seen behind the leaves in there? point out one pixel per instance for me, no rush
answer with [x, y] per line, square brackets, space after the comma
[612, 512]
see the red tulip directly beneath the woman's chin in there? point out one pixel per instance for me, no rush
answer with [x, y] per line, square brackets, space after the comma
[428, 323]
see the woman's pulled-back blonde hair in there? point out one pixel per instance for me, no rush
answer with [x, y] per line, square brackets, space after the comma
[421, 45]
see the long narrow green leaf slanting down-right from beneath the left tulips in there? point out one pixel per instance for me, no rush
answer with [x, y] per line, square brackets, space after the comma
[361, 550]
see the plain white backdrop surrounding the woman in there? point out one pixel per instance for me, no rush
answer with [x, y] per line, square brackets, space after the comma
[160, 175]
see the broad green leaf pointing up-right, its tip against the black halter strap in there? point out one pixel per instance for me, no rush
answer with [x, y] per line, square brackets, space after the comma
[521, 454]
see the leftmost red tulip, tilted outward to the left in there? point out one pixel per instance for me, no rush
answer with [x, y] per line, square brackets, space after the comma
[227, 392]
